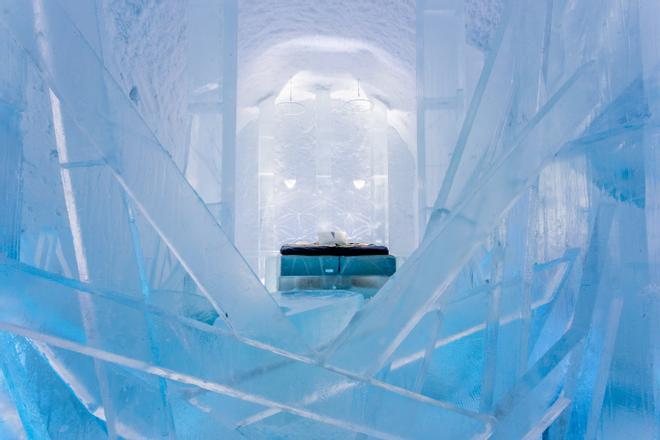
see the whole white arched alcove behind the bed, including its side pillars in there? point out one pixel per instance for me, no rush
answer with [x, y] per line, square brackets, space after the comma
[323, 163]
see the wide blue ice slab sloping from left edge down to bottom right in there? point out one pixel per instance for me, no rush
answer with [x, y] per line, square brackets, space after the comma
[211, 359]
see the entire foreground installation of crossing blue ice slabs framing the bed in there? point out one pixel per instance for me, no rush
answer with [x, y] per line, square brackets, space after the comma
[530, 308]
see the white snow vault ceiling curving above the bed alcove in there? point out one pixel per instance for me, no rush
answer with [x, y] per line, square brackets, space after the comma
[373, 40]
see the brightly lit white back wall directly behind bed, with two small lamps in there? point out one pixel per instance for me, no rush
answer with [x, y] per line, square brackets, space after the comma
[324, 167]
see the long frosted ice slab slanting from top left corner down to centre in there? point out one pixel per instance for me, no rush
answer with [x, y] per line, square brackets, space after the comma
[126, 144]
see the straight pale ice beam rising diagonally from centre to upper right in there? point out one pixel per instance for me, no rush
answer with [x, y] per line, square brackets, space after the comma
[366, 344]
